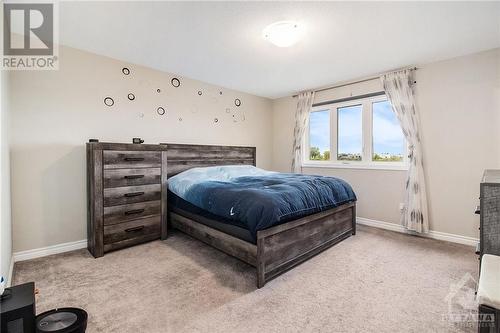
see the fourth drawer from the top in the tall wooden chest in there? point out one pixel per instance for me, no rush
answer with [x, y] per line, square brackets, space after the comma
[123, 213]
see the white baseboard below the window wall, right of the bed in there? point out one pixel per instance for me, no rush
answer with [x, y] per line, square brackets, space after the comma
[471, 241]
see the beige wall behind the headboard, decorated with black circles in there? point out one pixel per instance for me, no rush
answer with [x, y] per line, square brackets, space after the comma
[55, 113]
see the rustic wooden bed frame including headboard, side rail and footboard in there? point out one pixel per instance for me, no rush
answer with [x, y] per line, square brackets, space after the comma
[278, 248]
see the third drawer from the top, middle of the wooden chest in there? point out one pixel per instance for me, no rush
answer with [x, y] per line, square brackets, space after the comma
[131, 194]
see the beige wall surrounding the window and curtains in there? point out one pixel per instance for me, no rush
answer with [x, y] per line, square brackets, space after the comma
[459, 103]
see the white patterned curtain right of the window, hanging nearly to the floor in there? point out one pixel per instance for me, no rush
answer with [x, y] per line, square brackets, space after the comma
[398, 88]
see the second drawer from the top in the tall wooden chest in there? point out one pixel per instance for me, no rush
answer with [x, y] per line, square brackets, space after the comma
[130, 177]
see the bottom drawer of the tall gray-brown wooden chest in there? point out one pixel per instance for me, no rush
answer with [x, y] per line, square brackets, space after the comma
[132, 229]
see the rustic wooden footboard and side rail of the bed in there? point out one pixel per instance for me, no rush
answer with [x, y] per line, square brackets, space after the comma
[279, 248]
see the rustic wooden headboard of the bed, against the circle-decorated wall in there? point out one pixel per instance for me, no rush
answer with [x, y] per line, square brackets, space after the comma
[181, 157]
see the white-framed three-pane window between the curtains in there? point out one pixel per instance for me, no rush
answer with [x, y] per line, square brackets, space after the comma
[361, 133]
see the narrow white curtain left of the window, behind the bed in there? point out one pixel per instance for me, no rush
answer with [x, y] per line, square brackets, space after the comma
[304, 104]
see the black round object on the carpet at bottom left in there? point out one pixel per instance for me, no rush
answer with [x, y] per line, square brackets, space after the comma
[63, 320]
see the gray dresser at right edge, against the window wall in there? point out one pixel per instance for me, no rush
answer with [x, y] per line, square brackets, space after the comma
[489, 235]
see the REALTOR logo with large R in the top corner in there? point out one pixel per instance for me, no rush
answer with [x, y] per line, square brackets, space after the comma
[29, 33]
